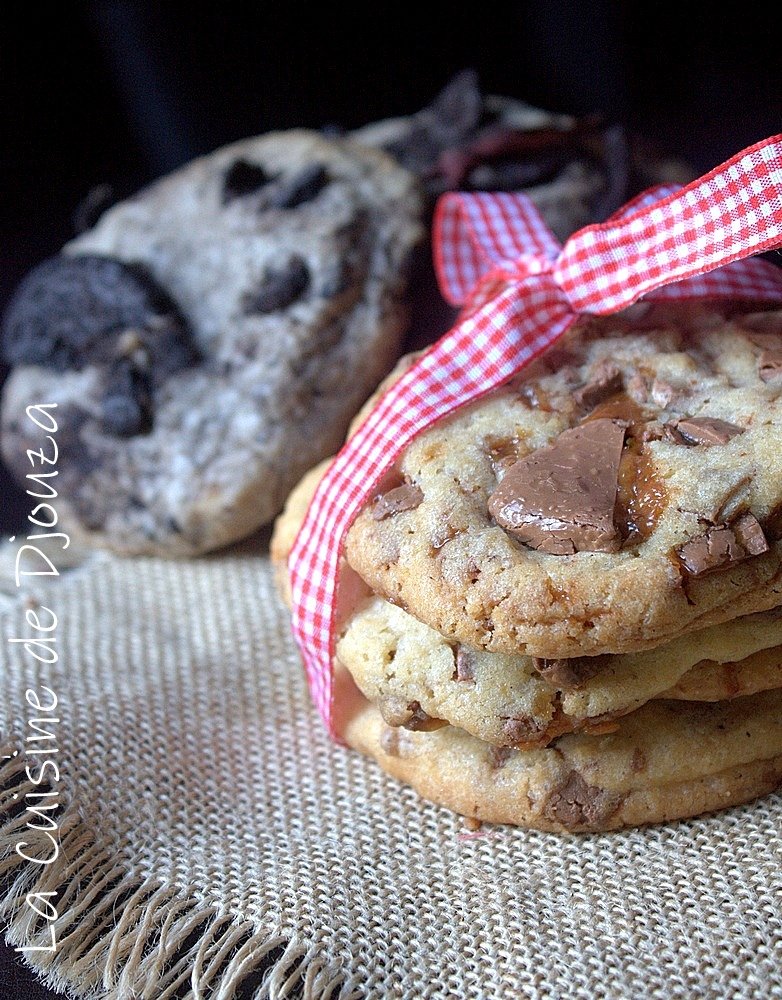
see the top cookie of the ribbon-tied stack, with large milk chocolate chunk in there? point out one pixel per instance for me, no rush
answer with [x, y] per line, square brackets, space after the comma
[625, 491]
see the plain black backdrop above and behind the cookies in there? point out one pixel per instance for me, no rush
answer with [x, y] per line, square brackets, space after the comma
[118, 93]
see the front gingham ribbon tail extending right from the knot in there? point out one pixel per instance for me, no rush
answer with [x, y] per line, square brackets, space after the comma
[728, 214]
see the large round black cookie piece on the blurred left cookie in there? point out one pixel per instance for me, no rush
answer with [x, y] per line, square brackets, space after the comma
[71, 311]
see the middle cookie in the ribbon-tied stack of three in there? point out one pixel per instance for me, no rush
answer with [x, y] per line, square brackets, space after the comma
[418, 679]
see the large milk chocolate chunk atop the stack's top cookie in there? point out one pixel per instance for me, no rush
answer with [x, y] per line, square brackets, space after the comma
[561, 499]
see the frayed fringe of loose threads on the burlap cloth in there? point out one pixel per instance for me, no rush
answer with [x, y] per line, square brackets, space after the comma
[122, 937]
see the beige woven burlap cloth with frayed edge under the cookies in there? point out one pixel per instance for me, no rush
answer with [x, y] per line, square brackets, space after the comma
[214, 843]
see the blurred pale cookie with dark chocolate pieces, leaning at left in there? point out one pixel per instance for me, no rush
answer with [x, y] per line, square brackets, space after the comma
[209, 339]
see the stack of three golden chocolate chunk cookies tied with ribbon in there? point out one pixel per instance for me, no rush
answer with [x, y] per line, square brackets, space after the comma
[568, 602]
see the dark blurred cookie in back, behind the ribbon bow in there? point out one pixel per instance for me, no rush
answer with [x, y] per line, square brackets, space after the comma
[577, 170]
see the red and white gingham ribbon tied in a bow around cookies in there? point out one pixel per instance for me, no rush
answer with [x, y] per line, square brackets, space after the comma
[520, 290]
